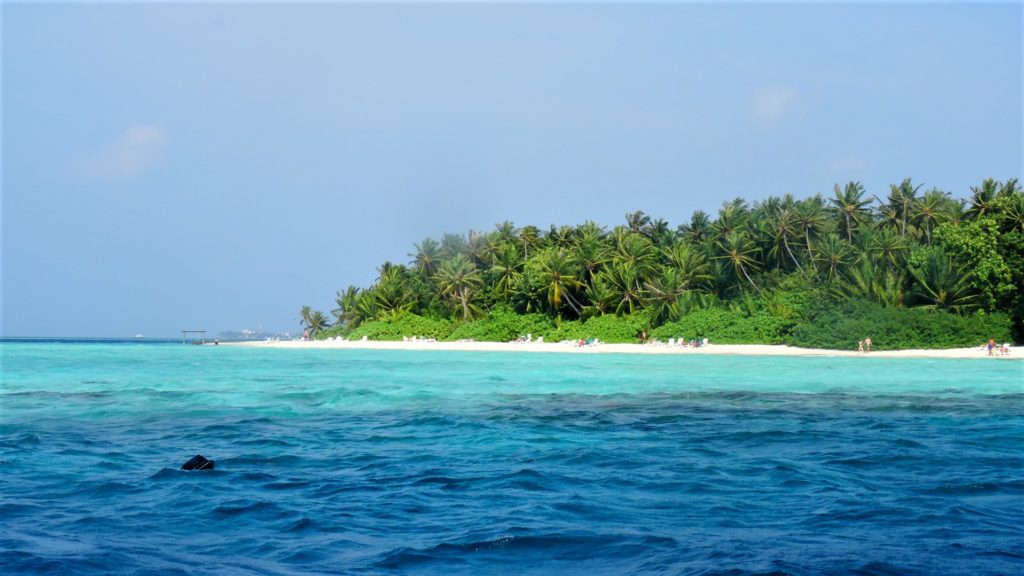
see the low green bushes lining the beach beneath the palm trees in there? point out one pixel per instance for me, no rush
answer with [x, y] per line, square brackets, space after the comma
[833, 326]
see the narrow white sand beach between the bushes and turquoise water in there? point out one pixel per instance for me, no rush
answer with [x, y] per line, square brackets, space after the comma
[712, 349]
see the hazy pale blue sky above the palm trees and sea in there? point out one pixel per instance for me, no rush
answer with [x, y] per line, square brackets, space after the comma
[218, 167]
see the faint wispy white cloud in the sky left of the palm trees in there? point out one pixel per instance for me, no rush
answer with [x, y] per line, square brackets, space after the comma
[127, 157]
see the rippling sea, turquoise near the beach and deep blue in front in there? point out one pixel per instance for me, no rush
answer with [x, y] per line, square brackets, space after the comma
[421, 463]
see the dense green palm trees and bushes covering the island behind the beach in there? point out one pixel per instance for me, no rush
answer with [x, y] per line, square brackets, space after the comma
[916, 270]
